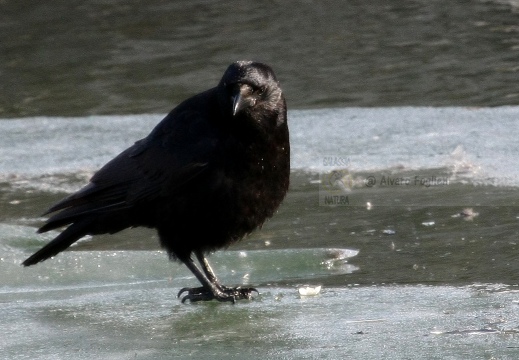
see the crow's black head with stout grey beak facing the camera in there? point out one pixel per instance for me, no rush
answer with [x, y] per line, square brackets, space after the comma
[251, 89]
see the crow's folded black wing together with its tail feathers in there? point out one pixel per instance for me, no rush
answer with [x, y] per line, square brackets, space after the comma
[179, 149]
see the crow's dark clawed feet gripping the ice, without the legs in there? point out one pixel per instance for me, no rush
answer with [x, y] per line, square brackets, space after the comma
[221, 293]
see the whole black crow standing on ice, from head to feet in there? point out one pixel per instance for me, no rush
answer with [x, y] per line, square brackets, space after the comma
[215, 168]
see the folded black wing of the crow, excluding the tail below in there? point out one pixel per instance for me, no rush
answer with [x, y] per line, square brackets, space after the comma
[178, 149]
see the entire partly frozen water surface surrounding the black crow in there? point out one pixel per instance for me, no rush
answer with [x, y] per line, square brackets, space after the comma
[408, 271]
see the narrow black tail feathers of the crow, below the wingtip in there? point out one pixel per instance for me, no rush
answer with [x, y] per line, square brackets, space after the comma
[70, 235]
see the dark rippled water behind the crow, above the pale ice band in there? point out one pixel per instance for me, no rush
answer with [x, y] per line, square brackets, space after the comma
[121, 57]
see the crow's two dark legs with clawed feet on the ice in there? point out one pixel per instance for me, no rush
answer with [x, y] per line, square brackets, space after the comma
[211, 288]
